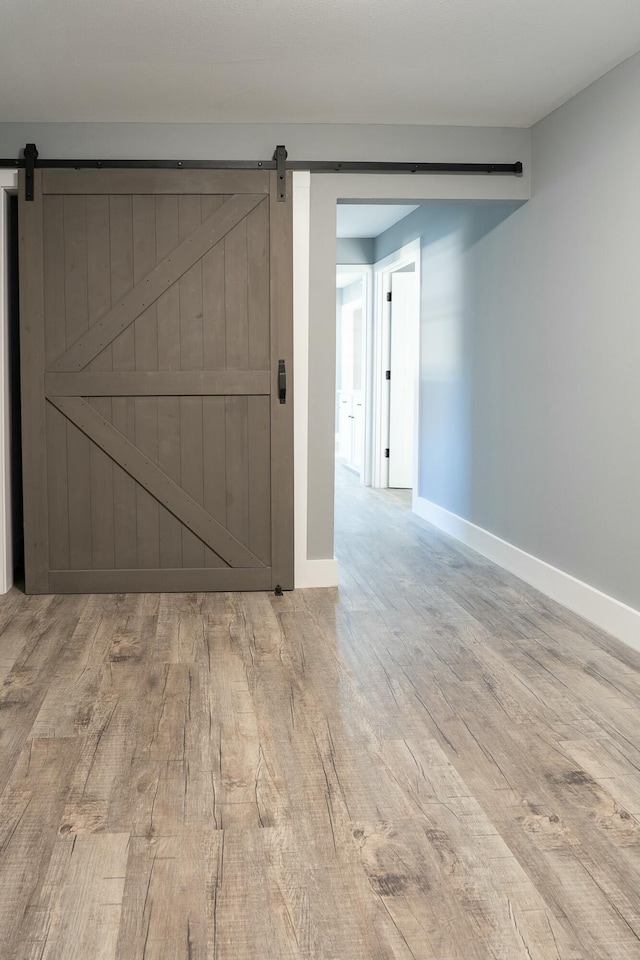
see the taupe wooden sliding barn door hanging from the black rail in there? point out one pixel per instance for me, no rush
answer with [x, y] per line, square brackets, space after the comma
[155, 316]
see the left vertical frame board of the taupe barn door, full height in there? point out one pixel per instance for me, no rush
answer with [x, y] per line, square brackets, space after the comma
[34, 457]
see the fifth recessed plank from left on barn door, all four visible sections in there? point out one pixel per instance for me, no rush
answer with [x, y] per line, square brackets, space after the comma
[145, 331]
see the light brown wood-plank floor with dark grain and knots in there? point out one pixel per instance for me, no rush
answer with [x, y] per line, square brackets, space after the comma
[432, 762]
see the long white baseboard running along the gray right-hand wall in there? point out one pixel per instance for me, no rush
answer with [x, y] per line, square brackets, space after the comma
[605, 612]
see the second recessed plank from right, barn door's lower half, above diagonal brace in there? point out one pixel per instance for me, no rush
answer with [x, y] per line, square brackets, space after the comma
[237, 468]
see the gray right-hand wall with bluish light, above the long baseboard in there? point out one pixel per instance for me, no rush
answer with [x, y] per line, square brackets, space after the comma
[530, 391]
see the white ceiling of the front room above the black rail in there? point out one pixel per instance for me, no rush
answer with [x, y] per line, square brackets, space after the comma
[498, 62]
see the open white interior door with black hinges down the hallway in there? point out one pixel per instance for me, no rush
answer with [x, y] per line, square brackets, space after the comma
[404, 365]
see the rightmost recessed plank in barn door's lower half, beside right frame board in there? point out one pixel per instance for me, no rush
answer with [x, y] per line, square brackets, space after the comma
[259, 477]
